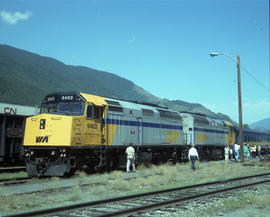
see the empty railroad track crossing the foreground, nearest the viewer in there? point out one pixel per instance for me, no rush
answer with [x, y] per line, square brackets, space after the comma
[152, 202]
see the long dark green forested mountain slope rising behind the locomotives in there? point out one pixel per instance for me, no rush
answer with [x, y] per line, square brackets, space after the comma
[27, 77]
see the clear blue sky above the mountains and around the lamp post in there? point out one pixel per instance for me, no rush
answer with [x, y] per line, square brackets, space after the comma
[162, 46]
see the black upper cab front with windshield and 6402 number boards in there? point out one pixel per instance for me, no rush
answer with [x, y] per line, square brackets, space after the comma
[63, 104]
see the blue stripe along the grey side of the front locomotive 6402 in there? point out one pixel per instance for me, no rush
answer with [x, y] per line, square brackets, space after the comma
[144, 124]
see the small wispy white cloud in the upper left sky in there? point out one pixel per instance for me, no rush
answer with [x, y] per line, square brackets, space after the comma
[13, 18]
